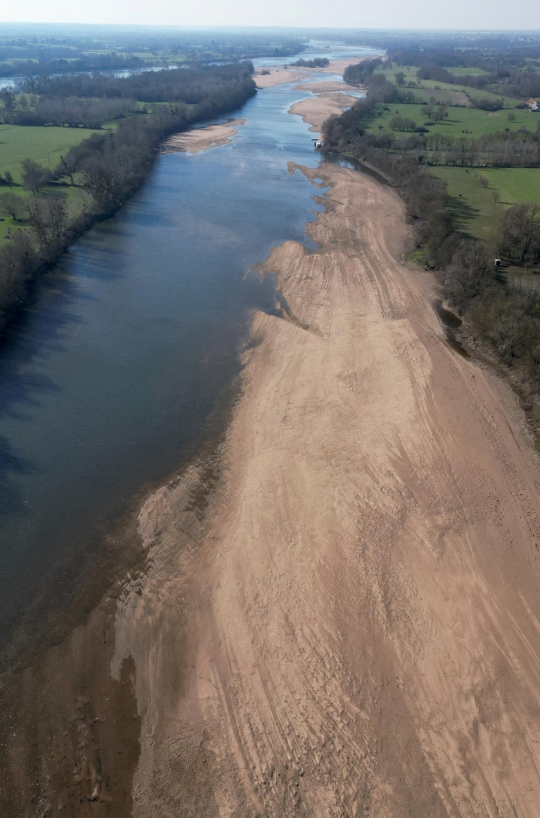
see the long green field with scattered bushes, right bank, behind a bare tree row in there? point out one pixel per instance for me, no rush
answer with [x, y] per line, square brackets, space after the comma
[459, 119]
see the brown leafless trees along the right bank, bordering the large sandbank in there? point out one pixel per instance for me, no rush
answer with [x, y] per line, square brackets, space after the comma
[506, 315]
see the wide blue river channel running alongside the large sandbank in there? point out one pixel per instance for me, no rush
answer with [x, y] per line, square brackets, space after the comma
[123, 350]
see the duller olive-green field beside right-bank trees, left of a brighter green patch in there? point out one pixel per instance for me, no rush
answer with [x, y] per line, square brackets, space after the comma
[473, 208]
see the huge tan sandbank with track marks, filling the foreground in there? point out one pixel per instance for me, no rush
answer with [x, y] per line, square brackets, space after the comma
[352, 626]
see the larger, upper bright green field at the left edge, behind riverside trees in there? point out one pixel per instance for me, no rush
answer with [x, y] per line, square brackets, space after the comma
[44, 145]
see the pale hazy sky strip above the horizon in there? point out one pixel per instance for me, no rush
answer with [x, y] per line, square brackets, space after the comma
[464, 14]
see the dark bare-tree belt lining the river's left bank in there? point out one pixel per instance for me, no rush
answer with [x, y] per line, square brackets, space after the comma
[110, 166]
